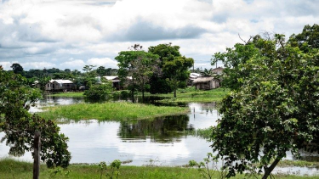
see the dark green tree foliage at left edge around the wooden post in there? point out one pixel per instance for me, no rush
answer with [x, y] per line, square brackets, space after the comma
[19, 125]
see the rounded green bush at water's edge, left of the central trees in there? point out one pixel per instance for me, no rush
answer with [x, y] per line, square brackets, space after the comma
[99, 92]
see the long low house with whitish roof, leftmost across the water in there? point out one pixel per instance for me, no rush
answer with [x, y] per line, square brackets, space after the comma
[60, 85]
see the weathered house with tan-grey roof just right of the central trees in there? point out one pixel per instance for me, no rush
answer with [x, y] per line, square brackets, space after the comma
[206, 83]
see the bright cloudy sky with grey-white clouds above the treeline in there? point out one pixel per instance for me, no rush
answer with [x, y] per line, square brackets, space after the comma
[72, 33]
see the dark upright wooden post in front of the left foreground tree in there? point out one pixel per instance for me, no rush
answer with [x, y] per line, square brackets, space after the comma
[36, 157]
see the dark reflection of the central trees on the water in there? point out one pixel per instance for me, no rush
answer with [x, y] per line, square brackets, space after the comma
[164, 129]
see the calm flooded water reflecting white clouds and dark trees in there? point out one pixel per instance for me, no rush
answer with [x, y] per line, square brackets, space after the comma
[157, 142]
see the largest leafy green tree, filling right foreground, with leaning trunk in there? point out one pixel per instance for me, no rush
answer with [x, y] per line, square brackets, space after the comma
[270, 111]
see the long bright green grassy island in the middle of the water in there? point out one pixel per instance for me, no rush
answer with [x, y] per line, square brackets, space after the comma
[116, 111]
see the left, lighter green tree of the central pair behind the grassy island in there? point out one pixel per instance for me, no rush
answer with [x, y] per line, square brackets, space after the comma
[140, 65]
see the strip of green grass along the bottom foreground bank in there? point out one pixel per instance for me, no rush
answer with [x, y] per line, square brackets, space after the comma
[17, 169]
